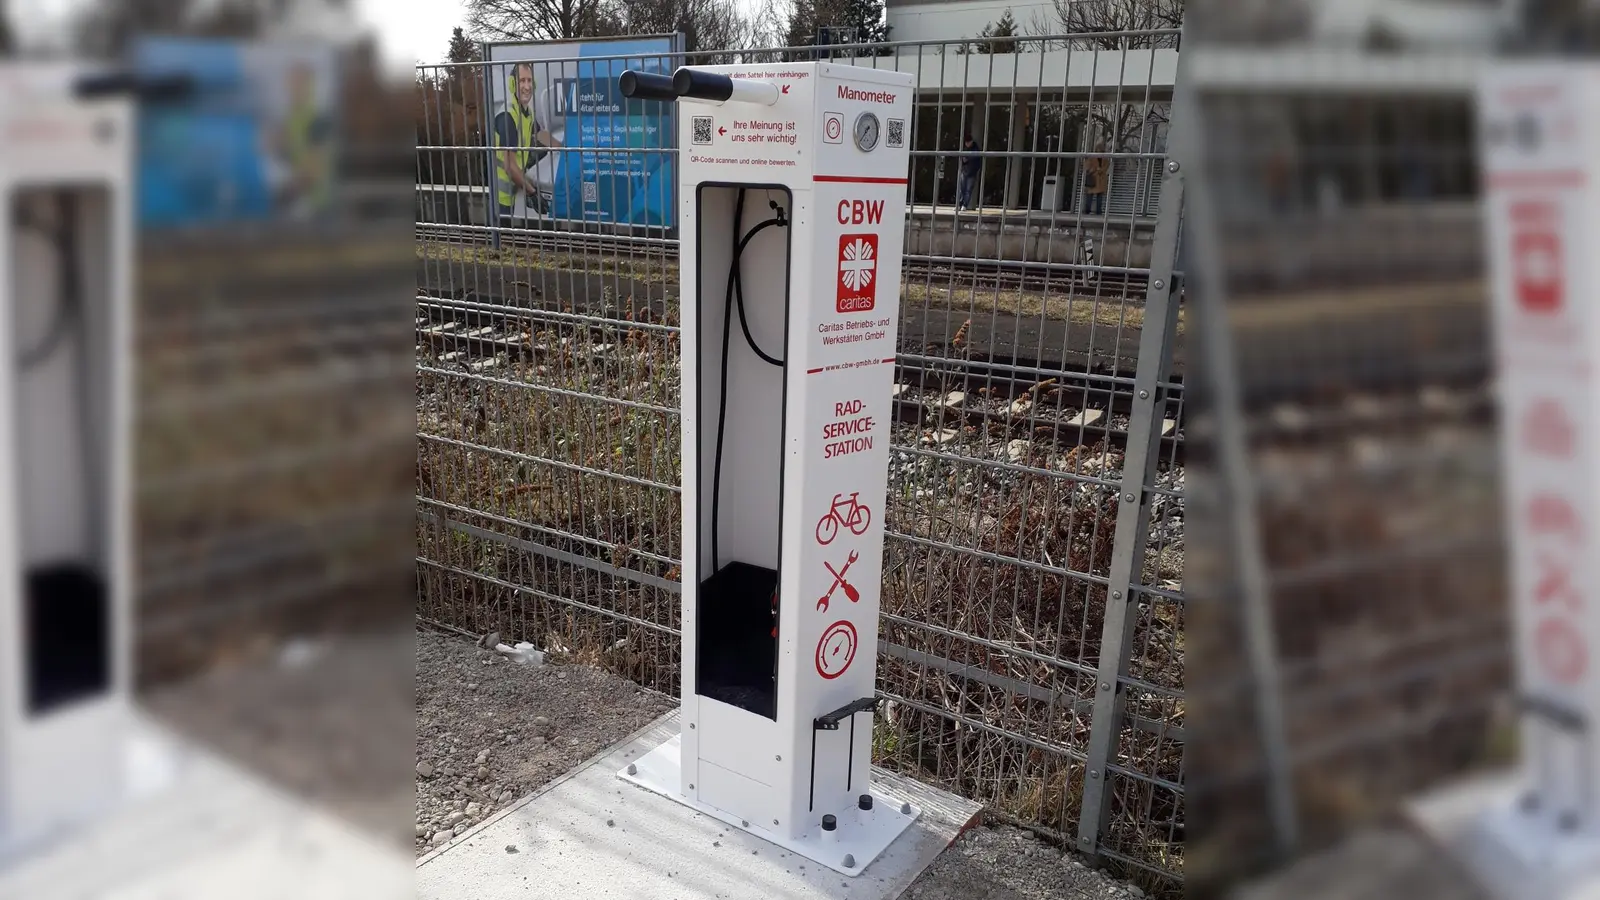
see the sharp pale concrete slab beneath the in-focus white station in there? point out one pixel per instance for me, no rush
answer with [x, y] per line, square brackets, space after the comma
[593, 835]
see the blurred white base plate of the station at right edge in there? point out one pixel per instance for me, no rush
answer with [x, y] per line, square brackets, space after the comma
[1476, 824]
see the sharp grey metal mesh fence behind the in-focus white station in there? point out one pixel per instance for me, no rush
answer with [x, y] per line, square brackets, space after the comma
[1033, 605]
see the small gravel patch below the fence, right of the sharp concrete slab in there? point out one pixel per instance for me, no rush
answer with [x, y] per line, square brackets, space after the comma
[1010, 864]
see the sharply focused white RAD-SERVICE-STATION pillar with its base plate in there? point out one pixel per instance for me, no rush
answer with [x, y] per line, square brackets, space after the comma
[791, 209]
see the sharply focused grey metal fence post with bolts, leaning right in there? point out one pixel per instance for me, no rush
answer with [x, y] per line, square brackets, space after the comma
[1134, 504]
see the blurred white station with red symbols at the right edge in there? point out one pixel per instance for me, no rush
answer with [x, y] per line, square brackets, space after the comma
[1537, 832]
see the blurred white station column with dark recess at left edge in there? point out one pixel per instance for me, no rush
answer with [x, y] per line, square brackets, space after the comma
[65, 448]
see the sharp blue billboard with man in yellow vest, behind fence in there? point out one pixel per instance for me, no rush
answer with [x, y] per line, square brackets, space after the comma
[583, 140]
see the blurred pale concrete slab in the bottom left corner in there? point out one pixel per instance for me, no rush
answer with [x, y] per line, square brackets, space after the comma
[199, 829]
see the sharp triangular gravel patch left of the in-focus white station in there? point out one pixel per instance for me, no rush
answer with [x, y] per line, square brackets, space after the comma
[490, 731]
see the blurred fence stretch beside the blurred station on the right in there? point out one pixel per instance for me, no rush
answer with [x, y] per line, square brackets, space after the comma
[1354, 621]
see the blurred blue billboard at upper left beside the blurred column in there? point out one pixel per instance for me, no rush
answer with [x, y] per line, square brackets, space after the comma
[255, 143]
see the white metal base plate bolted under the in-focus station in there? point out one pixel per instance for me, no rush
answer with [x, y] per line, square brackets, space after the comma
[862, 838]
